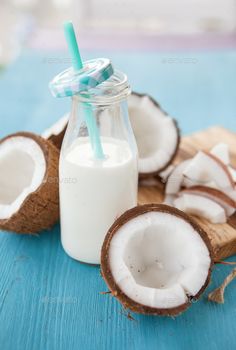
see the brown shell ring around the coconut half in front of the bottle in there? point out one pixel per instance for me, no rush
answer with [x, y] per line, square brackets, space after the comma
[127, 302]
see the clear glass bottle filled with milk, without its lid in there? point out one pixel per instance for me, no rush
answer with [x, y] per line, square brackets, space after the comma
[95, 190]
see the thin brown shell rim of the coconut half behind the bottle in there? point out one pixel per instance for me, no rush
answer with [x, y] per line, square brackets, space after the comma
[156, 173]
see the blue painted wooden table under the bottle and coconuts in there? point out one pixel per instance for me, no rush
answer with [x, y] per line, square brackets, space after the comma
[49, 301]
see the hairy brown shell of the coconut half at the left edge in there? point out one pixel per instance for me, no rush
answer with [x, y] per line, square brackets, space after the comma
[40, 209]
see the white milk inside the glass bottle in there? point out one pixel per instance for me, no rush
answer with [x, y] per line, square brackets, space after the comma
[93, 193]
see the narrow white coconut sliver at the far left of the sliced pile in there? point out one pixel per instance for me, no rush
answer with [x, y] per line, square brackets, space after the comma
[176, 178]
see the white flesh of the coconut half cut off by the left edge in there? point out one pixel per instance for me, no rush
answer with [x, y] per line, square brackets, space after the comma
[22, 170]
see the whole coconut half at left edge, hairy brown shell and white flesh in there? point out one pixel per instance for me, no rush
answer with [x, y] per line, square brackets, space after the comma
[29, 196]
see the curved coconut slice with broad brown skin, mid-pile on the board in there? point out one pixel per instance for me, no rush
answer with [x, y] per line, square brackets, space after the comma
[214, 194]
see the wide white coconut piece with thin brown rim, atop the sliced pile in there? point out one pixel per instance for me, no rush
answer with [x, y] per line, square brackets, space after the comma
[205, 167]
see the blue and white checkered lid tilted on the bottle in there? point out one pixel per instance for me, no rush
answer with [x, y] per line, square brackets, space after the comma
[71, 82]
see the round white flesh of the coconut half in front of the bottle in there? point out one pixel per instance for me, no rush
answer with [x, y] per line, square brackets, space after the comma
[159, 260]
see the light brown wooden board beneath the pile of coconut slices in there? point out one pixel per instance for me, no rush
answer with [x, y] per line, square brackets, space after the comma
[222, 236]
